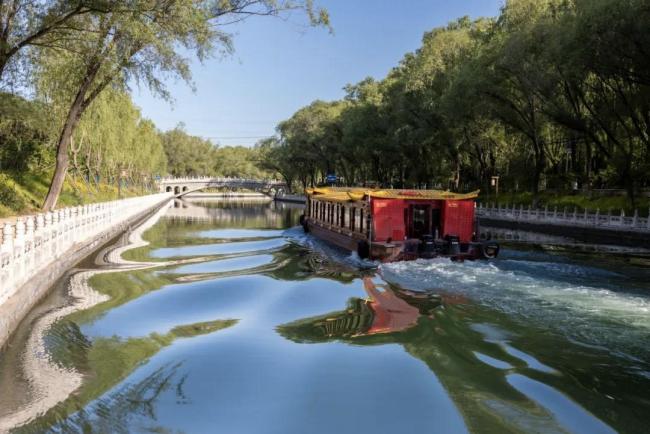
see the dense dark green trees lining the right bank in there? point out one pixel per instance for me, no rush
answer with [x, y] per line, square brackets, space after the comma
[549, 94]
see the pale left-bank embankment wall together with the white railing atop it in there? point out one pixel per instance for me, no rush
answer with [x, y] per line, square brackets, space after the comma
[38, 250]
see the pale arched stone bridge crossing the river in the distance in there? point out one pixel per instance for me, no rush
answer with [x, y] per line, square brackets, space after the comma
[183, 186]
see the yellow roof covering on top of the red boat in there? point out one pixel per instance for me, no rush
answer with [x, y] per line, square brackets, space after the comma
[352, 194]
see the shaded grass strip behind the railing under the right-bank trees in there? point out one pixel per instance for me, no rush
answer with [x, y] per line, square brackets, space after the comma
[580, 201]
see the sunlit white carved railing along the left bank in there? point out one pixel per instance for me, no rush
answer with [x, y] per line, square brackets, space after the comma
[31, 243]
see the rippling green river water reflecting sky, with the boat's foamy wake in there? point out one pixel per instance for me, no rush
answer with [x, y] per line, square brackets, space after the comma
[247, 325]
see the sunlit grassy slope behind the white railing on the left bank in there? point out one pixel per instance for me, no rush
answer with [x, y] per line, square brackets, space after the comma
[24, 193]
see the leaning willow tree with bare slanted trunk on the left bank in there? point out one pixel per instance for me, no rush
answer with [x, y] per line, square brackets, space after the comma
[142, 43]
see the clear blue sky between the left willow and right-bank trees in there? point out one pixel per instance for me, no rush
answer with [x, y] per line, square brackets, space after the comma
[282, 65]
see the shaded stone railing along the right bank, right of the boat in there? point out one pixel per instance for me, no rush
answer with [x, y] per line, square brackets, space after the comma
[566, 217]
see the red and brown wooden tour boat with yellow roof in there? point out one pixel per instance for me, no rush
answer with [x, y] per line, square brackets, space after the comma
[395, 225]
